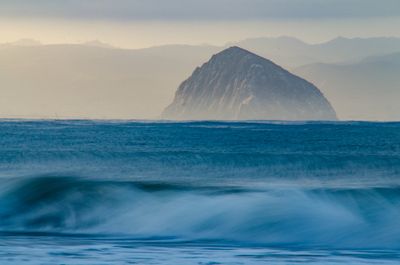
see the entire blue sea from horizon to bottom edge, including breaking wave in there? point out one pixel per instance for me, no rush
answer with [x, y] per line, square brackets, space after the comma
[132, 192]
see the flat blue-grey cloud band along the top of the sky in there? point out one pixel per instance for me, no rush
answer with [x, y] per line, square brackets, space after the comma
[199, 10]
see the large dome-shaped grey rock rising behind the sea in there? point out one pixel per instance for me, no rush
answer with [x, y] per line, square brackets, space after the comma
[239, 85]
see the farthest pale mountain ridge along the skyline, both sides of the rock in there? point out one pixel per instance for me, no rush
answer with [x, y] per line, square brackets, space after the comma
[287, 51]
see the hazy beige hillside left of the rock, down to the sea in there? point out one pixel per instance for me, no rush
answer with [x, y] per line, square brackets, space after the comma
[95, 82]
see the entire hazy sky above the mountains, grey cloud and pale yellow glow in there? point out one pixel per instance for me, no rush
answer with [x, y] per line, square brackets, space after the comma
[141, 23]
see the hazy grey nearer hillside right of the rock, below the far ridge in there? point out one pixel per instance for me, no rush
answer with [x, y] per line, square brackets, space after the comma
[367, 90]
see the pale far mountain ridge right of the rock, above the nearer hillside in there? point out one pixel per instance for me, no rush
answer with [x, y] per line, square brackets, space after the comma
[292, 52]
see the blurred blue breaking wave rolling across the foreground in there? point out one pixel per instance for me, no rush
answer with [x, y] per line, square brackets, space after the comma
[323, 217]
